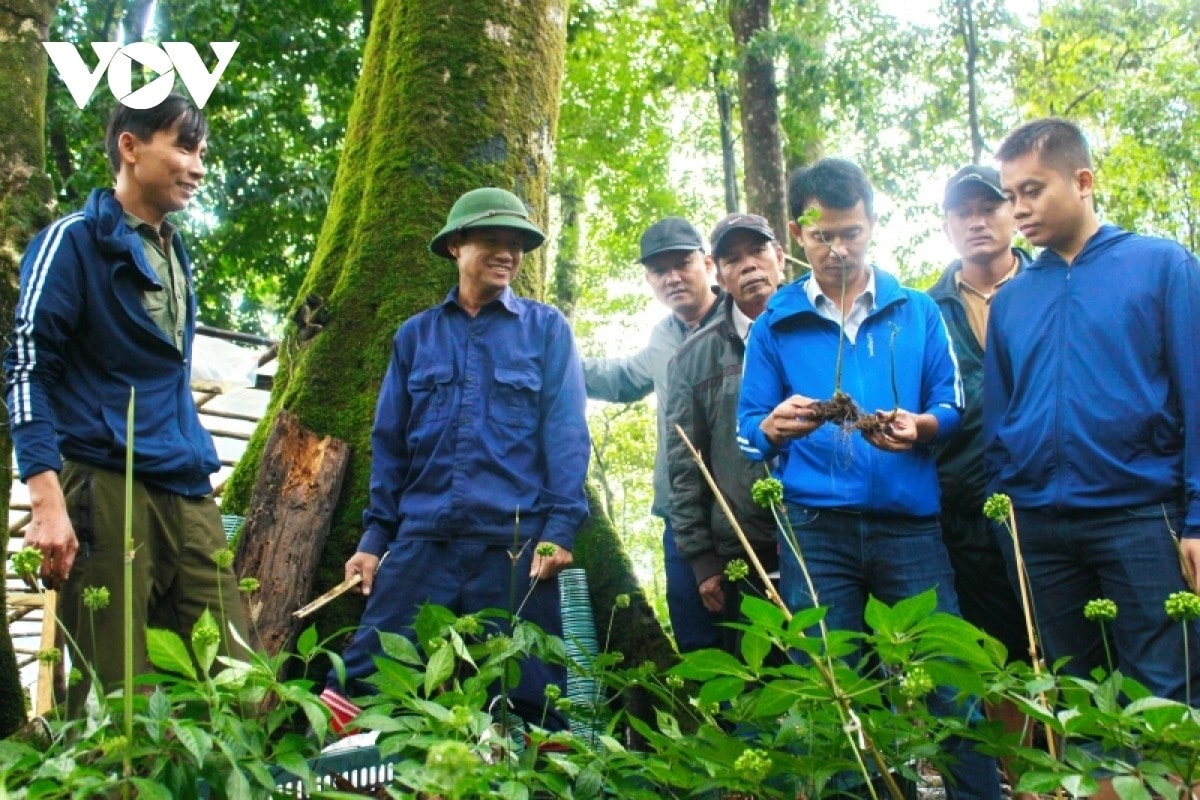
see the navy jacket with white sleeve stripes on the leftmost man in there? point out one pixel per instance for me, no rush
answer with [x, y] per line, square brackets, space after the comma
[82, 339]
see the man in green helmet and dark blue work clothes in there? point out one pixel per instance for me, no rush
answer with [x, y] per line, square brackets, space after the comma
[481, 423]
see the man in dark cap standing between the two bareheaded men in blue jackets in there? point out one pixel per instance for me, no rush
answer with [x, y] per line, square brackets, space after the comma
[980, 225]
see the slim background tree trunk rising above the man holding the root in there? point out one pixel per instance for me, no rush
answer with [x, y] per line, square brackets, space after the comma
[763, 149]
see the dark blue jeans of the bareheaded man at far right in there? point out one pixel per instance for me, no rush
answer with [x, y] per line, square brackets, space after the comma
[1126, 556]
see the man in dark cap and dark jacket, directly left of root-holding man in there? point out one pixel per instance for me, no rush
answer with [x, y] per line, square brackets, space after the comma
[706, 380]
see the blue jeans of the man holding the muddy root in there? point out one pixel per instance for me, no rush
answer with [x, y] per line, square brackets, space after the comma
[854, 556]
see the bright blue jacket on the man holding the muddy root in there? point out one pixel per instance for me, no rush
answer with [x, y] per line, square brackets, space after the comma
[794, 351]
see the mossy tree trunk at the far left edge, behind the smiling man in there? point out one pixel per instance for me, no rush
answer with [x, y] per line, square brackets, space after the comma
[25, 209]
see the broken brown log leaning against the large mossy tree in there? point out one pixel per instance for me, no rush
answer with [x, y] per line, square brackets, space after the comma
[298, 484]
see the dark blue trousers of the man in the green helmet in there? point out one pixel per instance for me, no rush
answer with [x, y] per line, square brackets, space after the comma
[466, 578]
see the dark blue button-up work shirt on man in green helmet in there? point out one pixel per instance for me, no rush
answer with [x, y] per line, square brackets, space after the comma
[481, 418]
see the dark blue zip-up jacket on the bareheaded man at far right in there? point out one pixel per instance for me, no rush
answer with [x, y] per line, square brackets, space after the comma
[1093, 380]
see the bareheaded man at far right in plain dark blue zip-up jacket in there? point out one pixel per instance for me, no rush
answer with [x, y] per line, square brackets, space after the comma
[1091, 416]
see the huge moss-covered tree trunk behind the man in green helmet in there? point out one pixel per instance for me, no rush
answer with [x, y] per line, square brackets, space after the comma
[453, 97]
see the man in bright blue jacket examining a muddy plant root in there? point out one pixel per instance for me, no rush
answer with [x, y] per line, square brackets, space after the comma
[863, 507]
